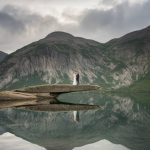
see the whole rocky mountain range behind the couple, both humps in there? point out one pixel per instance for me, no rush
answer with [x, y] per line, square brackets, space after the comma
[117, 63]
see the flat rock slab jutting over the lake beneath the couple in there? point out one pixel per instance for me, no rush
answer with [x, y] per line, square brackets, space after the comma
[44, 91]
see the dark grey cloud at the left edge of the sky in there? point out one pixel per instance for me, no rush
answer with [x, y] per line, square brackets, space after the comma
[14, 18]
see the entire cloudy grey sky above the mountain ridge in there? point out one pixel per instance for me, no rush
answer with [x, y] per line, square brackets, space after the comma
[25, 21]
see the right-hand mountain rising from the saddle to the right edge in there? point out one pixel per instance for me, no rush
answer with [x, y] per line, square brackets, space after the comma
[133, 50]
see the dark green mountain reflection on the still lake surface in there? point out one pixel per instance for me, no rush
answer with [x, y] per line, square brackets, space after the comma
[123, 120]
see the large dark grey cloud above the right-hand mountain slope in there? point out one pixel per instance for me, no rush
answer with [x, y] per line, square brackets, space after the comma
[122, 17]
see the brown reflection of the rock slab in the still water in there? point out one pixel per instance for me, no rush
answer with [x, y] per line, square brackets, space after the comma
[46, 105]
